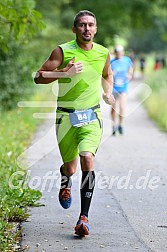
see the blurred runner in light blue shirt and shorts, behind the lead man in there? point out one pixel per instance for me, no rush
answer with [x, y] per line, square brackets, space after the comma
[122, 71]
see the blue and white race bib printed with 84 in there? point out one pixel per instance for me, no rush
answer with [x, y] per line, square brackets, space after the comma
[82, 117]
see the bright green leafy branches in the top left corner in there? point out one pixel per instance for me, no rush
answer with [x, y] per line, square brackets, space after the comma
[19, 21]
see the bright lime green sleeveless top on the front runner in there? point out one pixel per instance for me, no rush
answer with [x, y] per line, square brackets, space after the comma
[83, 90]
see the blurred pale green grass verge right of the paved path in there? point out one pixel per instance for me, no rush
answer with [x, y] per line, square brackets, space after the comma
[156, 103]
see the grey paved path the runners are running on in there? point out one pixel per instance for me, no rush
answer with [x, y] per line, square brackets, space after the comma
[129, 207]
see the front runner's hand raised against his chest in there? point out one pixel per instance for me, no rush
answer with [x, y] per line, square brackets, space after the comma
[73, 68]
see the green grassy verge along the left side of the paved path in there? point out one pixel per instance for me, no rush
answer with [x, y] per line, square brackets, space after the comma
[17, 128]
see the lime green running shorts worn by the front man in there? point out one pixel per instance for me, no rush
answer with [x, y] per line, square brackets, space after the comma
[74, 140]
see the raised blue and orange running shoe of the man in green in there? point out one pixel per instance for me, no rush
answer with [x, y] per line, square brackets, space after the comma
[65, 198]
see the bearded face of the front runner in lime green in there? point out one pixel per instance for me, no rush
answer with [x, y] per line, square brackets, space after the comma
[85, 28]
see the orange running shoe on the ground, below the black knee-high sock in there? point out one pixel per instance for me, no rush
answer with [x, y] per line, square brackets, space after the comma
[82, 226]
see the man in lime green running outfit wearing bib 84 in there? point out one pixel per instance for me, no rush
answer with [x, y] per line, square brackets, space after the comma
[80, 66]
